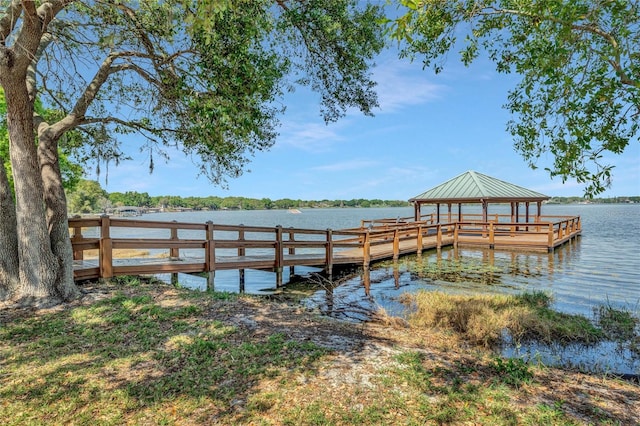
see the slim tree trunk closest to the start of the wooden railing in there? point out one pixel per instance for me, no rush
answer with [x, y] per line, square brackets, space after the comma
[57, 220]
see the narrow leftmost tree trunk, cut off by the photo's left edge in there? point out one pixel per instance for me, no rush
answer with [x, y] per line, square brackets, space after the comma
[8, 239]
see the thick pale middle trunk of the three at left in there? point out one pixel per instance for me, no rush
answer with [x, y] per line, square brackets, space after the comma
[38, 267]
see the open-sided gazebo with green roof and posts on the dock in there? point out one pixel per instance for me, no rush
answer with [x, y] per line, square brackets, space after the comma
[475, 188]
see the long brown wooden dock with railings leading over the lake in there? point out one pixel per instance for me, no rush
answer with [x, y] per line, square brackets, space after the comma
[205, 248]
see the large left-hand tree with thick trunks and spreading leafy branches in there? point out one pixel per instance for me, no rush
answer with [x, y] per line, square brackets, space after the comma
[206, 77]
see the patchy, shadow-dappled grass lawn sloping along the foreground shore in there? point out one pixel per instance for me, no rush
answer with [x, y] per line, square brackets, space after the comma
[133, 352]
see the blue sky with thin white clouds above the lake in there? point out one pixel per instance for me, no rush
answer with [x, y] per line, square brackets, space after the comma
[428, 129]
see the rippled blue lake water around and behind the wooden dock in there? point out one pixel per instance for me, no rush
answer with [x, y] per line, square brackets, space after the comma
[602, 267]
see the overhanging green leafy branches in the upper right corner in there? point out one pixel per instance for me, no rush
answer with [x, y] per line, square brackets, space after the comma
[579, 97]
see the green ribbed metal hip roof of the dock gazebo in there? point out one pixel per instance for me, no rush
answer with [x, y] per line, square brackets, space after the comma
[474, 187]
